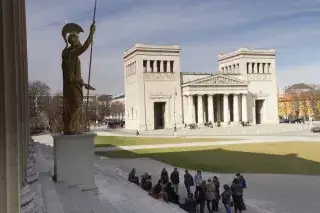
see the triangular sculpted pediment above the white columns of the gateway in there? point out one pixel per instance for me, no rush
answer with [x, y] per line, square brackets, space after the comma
[218, 80]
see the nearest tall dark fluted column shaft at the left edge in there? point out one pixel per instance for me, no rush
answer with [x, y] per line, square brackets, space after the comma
[10, 65]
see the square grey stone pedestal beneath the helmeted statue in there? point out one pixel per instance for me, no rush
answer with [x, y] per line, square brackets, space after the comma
[74, 160]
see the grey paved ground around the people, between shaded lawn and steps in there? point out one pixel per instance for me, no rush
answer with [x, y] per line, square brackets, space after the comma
[265, 193]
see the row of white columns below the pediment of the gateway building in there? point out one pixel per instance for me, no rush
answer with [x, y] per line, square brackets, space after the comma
[215, 108]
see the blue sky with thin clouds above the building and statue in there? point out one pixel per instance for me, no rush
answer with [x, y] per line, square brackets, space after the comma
[202, 29]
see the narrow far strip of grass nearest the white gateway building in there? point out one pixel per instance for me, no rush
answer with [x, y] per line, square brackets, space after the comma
[105, 141]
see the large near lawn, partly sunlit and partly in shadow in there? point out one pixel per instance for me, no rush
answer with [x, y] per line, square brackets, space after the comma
[274, 158]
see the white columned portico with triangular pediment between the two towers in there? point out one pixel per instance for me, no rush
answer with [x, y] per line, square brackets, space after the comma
[216, 98]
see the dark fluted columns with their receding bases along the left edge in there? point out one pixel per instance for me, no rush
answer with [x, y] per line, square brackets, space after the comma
[17, 150]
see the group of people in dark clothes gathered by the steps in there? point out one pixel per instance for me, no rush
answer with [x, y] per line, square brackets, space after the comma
[206, 192]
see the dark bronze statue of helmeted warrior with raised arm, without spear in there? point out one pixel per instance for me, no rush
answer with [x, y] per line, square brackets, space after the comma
[72, 80]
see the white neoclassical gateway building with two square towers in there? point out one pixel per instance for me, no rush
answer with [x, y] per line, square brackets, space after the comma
[158, 95]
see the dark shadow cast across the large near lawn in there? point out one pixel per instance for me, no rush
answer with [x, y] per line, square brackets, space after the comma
[225, 161]
